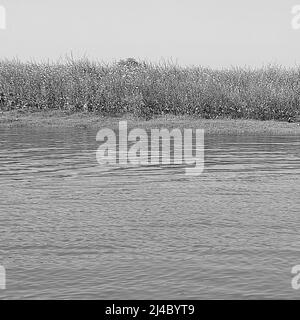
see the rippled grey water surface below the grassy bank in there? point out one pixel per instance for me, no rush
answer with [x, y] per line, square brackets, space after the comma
[73, 229]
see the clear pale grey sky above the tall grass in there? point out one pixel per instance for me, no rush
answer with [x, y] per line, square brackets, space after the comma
[213, 33]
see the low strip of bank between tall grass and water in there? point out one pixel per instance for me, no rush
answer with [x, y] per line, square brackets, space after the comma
[59, 119]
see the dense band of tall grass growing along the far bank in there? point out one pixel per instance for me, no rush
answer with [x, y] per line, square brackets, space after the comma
[146, 90]
